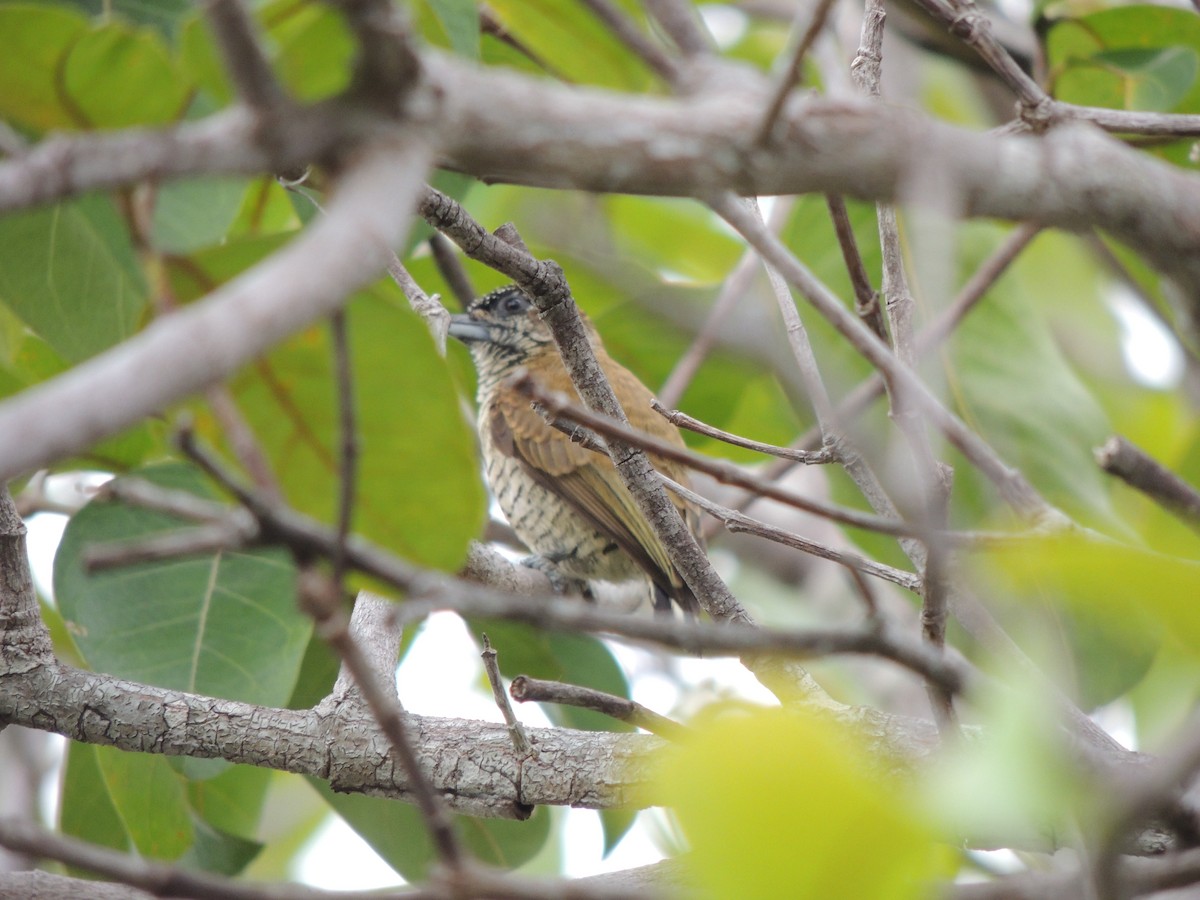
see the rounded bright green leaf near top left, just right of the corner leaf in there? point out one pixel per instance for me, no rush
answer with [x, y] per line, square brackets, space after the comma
[116, 77]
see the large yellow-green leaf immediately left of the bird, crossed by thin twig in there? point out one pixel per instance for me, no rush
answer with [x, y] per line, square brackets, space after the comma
[418, 476]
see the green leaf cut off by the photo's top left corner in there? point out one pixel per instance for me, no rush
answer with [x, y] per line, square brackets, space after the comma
[37, 43]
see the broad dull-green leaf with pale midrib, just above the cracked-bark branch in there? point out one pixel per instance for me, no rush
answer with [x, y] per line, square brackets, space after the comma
[223, 625]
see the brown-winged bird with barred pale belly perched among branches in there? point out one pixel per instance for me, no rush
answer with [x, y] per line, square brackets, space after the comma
[565, 501]
